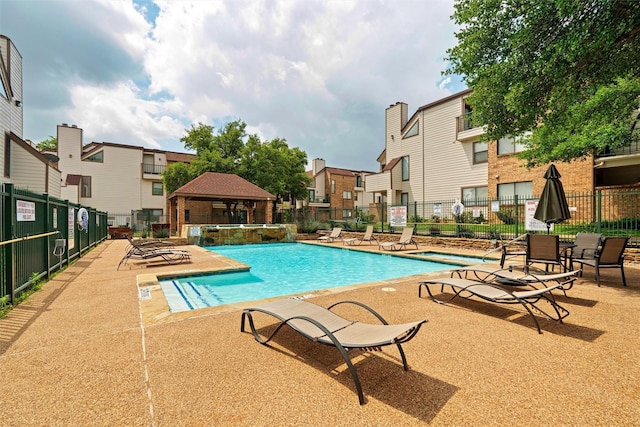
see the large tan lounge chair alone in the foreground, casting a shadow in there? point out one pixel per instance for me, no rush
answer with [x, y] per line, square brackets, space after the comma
[324, 326]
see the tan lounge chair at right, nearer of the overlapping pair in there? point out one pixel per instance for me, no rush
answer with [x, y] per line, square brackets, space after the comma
[529, 299]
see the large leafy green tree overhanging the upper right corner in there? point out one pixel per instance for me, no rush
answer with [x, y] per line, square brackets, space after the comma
[566, 70]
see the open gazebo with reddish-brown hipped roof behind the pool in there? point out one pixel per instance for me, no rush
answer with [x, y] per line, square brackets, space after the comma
[219, 198]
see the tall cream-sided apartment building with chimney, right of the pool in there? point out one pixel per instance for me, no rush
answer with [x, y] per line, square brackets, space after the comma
[430, 156]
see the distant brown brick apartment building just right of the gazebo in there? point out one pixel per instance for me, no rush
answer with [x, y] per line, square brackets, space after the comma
[336, 189]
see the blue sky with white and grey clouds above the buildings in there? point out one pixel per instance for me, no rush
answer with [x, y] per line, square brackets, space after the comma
[316, 73]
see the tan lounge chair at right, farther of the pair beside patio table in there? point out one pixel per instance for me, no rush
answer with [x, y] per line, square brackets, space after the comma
[514, 277]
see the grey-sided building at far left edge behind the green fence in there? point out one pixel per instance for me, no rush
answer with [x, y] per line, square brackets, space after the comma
[22, 164]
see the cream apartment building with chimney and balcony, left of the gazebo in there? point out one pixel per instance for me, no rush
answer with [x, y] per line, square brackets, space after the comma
[116, 178]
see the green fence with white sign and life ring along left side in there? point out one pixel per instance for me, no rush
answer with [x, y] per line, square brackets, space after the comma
[39, 234]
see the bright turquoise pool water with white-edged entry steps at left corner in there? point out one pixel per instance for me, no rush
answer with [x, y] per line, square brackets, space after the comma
[287, 268]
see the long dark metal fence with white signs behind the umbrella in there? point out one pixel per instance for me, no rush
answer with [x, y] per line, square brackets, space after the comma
[612, 212]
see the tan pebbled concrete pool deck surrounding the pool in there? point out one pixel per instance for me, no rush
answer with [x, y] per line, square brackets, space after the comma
[86, 350]
